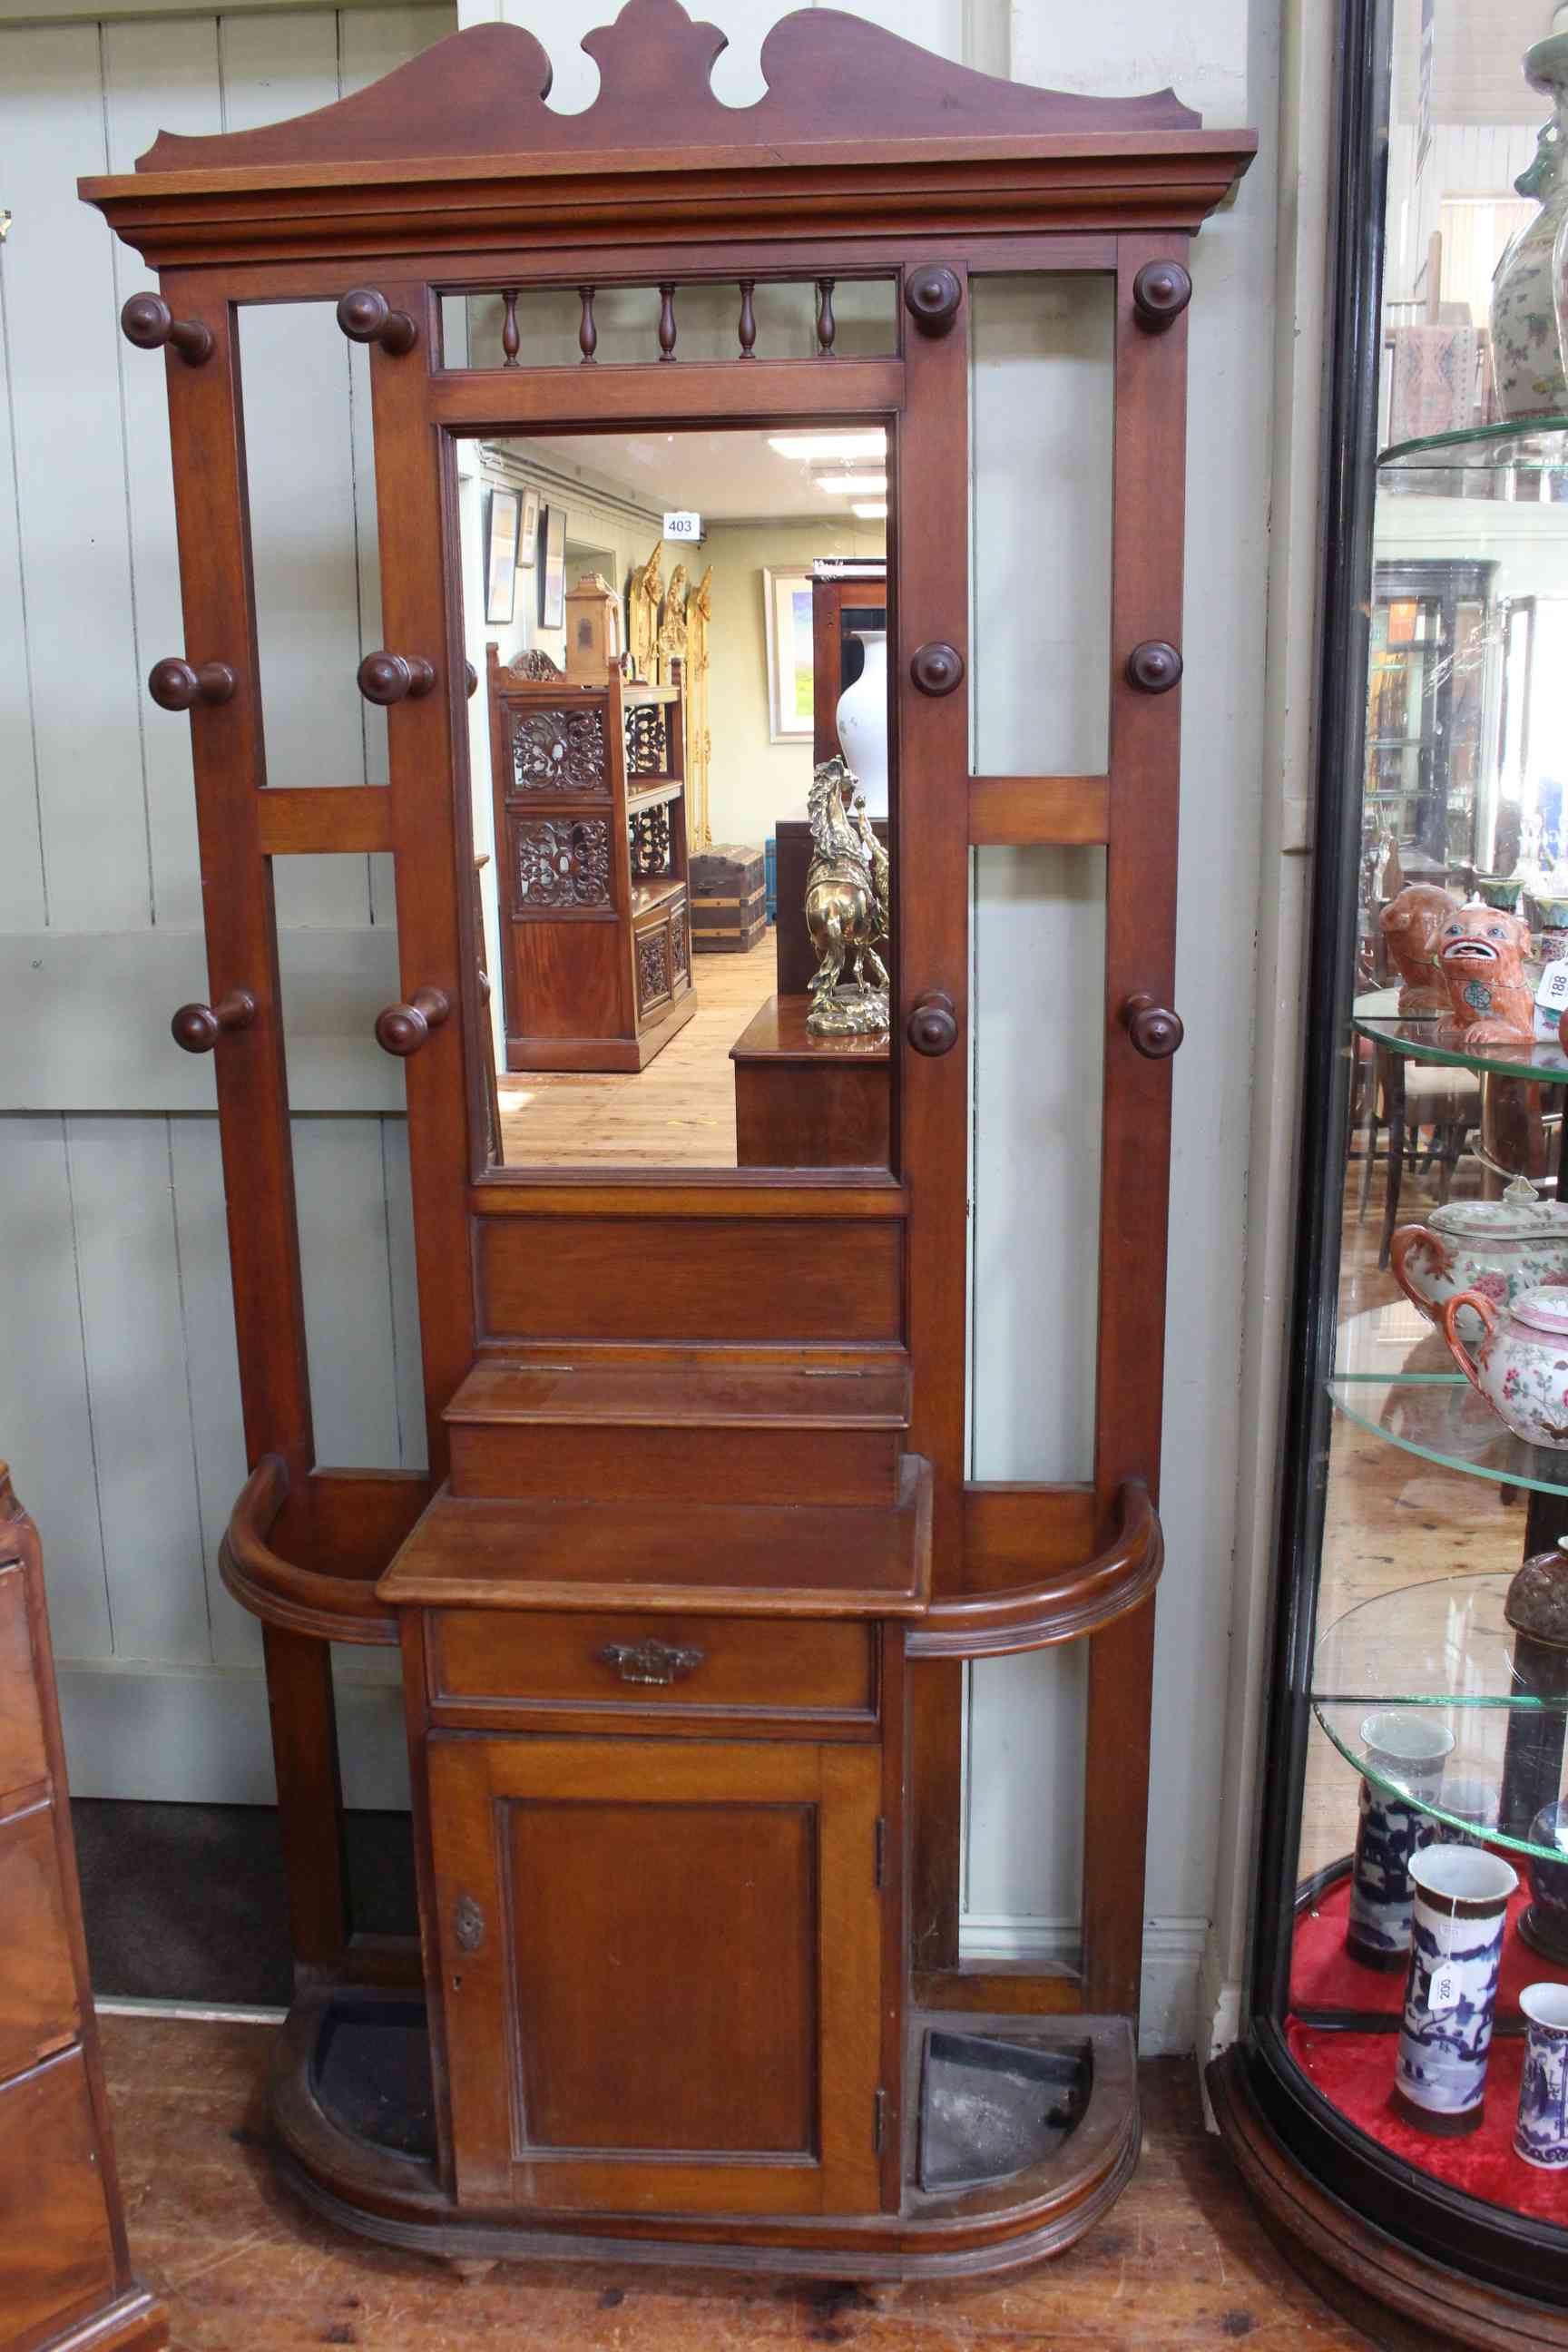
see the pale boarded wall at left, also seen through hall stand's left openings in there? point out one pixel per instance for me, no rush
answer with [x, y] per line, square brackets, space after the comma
[119, 1389]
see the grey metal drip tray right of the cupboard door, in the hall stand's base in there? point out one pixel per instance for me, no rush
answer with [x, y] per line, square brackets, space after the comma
[991, 2109]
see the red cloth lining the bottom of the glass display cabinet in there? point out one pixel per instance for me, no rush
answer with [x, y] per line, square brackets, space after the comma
[1355, 2073]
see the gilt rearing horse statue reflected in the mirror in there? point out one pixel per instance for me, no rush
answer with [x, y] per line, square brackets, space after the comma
[847, 909]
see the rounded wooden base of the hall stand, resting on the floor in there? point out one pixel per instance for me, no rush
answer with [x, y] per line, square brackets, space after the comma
[387, 2189]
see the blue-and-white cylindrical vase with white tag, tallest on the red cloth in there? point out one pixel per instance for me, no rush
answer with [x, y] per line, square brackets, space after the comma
[1452, 1991]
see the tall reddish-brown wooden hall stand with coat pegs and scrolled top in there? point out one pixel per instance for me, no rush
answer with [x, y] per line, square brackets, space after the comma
[685, 1598]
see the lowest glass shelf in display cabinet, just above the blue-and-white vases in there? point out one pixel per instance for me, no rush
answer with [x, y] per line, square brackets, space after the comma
[1447, 1650]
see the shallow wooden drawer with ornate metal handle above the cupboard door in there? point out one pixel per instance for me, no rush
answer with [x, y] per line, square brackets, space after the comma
[636, 1664]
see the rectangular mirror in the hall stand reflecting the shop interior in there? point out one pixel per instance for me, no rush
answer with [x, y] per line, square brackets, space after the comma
[683, 813]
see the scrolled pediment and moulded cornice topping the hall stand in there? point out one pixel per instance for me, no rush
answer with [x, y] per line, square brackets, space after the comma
[460, 152]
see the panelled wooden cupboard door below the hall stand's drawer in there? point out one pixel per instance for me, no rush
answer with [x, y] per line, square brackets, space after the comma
[662, 1972]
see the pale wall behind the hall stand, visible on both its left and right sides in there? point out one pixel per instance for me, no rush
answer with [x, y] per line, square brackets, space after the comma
[119, 1396]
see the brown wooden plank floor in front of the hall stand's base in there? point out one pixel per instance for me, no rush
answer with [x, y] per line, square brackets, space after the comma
[1179, 2264]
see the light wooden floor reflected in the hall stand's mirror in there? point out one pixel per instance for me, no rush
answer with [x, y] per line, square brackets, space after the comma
[676, 1114]
